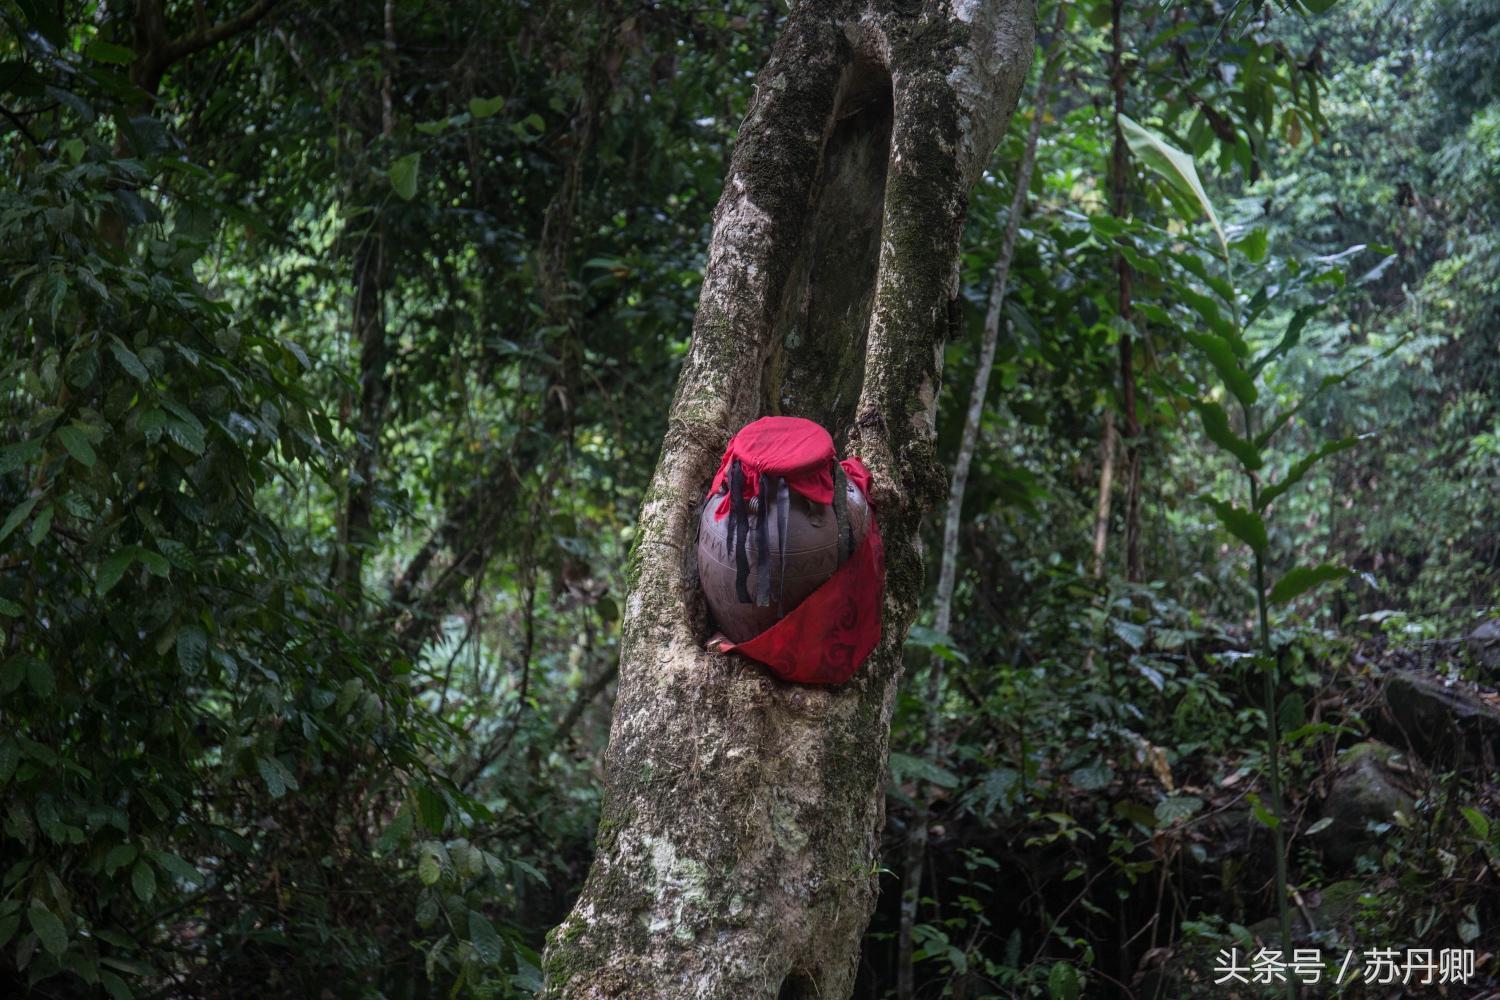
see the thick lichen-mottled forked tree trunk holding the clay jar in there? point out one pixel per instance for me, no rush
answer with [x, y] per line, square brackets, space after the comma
[739, 846]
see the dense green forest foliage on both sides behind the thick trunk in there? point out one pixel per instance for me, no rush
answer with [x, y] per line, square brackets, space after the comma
[337, 346]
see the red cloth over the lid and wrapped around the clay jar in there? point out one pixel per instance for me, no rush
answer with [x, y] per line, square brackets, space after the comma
[826, 638]
